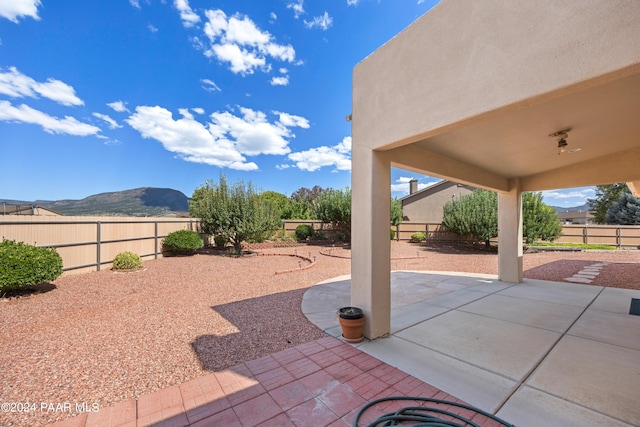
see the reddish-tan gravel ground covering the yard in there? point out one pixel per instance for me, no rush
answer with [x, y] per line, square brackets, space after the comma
[104, 337]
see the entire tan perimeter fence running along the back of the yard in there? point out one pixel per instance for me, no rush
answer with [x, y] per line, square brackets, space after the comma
[91, 243]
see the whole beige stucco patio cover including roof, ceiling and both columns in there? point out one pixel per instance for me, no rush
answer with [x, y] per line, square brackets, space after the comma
[471, 92]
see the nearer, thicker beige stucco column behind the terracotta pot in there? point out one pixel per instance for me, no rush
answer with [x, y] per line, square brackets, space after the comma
[370, 243]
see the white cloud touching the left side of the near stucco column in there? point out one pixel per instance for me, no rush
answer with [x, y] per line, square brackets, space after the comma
[315, 158]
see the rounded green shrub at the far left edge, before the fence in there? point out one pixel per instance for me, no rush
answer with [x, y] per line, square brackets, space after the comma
[23, 265]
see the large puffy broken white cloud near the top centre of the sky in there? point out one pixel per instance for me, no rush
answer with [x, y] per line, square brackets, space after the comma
[239, 42]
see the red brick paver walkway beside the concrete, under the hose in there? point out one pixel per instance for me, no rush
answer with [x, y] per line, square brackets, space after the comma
[321, 383]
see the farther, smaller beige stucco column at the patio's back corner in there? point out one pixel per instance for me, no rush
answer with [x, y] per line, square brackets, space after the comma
[510, 235]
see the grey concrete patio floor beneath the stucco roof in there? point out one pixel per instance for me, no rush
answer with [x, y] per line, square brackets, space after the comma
[537, 353]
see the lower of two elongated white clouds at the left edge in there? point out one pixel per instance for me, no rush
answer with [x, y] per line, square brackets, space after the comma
[50, 124]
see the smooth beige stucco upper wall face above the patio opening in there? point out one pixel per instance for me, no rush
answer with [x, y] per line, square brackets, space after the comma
[450, 68]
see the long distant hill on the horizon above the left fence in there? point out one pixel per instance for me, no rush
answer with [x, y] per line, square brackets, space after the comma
[145, 201]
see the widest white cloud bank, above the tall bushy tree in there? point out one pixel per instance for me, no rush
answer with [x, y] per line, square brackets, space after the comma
[224, 141]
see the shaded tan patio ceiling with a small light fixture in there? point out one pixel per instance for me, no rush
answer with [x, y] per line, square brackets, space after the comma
[604, 121]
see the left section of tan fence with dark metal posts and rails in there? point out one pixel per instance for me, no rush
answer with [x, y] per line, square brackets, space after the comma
[90, 243]
